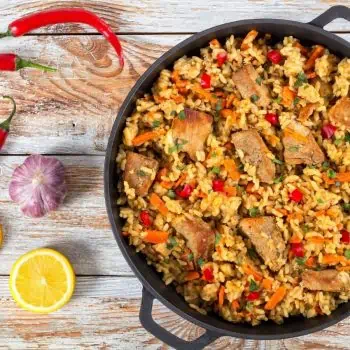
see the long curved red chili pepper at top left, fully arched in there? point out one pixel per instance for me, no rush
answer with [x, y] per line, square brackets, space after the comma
[37, 20]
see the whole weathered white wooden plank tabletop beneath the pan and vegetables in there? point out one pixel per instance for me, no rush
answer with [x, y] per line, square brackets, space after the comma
[70, 114]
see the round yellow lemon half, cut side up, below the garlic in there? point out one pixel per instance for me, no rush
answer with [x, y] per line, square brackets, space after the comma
[42, 281]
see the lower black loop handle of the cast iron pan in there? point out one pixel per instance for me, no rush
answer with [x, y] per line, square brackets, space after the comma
[162, 334]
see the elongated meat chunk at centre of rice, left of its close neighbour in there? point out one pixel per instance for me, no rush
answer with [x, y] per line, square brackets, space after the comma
[255, 153]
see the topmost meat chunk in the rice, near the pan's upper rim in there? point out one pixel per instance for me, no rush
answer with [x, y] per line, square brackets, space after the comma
[245, 81]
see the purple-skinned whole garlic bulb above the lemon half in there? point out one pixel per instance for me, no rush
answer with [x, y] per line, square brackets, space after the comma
[38, 185]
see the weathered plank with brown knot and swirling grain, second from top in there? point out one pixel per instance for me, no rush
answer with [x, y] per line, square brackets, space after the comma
[72, 111]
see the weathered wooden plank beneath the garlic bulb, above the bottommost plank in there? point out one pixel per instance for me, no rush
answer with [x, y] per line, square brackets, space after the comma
[80, 228]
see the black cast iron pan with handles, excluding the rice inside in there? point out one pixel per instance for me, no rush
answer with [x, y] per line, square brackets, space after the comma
[153, 287]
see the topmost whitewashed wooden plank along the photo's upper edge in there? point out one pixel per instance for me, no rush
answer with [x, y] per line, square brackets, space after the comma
[175, 16]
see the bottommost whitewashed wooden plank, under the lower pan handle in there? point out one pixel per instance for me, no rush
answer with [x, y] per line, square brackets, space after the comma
[103, 314]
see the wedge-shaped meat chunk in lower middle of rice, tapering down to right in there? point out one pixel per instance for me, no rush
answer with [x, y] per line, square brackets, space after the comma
[266, 238]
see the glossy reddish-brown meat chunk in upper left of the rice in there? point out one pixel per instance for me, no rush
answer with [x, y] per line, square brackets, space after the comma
[194, 130]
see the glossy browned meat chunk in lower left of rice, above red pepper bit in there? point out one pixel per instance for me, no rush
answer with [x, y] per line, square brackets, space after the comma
[199, 235]
